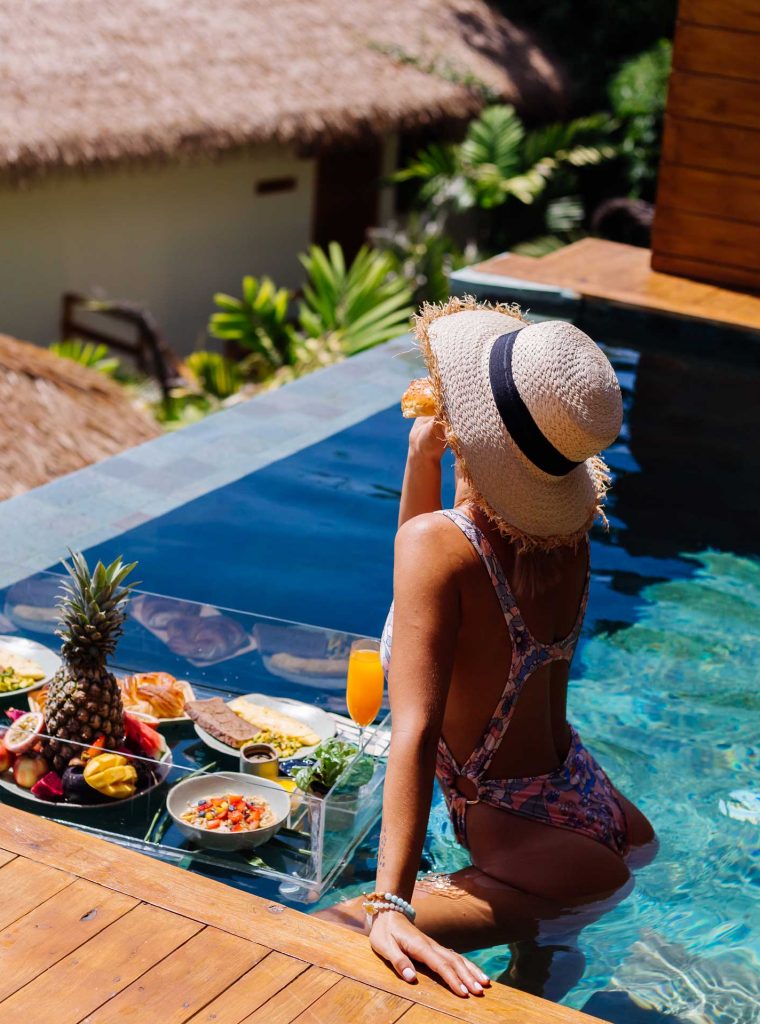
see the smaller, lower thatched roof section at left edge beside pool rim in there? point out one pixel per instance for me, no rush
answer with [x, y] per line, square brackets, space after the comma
[57, 417]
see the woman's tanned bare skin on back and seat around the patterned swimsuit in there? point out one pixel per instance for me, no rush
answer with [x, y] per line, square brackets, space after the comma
[522, 852]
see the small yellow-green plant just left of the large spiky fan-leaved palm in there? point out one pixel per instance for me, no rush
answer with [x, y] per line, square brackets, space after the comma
[258, 322]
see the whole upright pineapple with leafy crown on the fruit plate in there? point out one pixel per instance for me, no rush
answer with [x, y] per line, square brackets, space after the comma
[85, 700]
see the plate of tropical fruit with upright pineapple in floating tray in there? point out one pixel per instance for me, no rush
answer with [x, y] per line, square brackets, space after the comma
[82, 749]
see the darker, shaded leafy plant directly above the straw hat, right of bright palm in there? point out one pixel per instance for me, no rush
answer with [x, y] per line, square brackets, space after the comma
[425, 254]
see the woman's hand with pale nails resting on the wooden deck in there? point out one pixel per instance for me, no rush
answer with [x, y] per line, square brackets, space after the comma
[399, 942]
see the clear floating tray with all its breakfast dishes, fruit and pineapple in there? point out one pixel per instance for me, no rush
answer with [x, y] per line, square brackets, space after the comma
[143, 759]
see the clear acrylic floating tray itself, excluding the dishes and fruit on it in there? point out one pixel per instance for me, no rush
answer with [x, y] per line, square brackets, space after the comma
[321, 834]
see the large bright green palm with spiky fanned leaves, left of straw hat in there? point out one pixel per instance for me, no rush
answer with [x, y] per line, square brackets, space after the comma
[362, 306]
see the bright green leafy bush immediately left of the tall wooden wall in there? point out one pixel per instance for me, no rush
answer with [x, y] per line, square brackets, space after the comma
[638, 95]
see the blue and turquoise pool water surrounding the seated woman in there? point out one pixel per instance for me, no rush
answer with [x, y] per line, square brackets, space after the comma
[664, 687]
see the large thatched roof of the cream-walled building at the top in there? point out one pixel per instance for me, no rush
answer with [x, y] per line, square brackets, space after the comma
[87, 82]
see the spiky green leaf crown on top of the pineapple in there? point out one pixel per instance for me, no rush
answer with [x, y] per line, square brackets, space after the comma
[92, 610]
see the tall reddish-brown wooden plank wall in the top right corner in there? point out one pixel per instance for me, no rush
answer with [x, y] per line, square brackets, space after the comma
[707, 223]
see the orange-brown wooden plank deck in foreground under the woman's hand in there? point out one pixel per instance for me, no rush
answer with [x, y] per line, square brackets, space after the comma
[91, 932]
